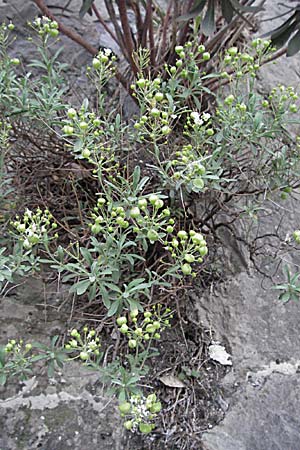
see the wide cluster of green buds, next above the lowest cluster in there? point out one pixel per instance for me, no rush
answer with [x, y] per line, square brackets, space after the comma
[146, 328]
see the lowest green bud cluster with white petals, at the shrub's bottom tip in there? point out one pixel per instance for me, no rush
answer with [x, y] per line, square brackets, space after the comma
[140, 411]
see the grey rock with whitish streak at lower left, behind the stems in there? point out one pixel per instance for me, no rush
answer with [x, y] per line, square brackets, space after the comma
[69, 411]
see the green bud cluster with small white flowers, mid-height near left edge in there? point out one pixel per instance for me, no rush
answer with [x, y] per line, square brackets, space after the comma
[34, 227]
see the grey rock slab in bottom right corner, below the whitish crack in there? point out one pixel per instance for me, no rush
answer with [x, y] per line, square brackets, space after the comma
[265, 419]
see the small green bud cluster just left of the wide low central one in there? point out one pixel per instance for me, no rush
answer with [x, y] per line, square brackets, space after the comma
[86, 344]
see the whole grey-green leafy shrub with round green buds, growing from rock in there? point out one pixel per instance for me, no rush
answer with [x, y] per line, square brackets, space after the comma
[133, 236]
